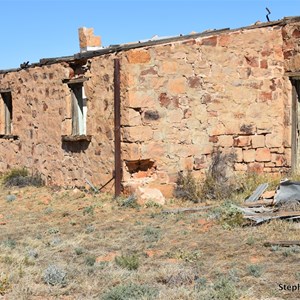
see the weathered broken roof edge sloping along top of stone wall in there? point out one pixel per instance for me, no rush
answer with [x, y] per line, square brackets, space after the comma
[129, 46]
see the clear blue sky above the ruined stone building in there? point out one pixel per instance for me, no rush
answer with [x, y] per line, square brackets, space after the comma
[34, 29]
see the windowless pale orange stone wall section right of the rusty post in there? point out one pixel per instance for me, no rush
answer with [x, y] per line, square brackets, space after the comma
[185, 99]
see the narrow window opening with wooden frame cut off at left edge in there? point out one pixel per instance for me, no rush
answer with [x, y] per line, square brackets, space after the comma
[6, 112]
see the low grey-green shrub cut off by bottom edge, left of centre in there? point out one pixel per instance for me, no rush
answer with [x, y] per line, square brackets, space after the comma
[131, 291]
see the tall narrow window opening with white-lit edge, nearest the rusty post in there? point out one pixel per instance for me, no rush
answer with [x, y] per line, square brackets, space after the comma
[79, 109]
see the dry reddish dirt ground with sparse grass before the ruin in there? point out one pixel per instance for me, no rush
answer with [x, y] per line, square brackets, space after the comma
[69, 244]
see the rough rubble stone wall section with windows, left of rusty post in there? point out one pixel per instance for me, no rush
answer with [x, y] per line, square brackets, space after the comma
[42, 114]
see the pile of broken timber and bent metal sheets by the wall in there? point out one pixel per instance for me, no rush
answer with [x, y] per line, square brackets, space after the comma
[284, 203]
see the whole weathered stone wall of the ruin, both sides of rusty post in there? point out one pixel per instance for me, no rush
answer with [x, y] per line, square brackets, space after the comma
[181, 98]
